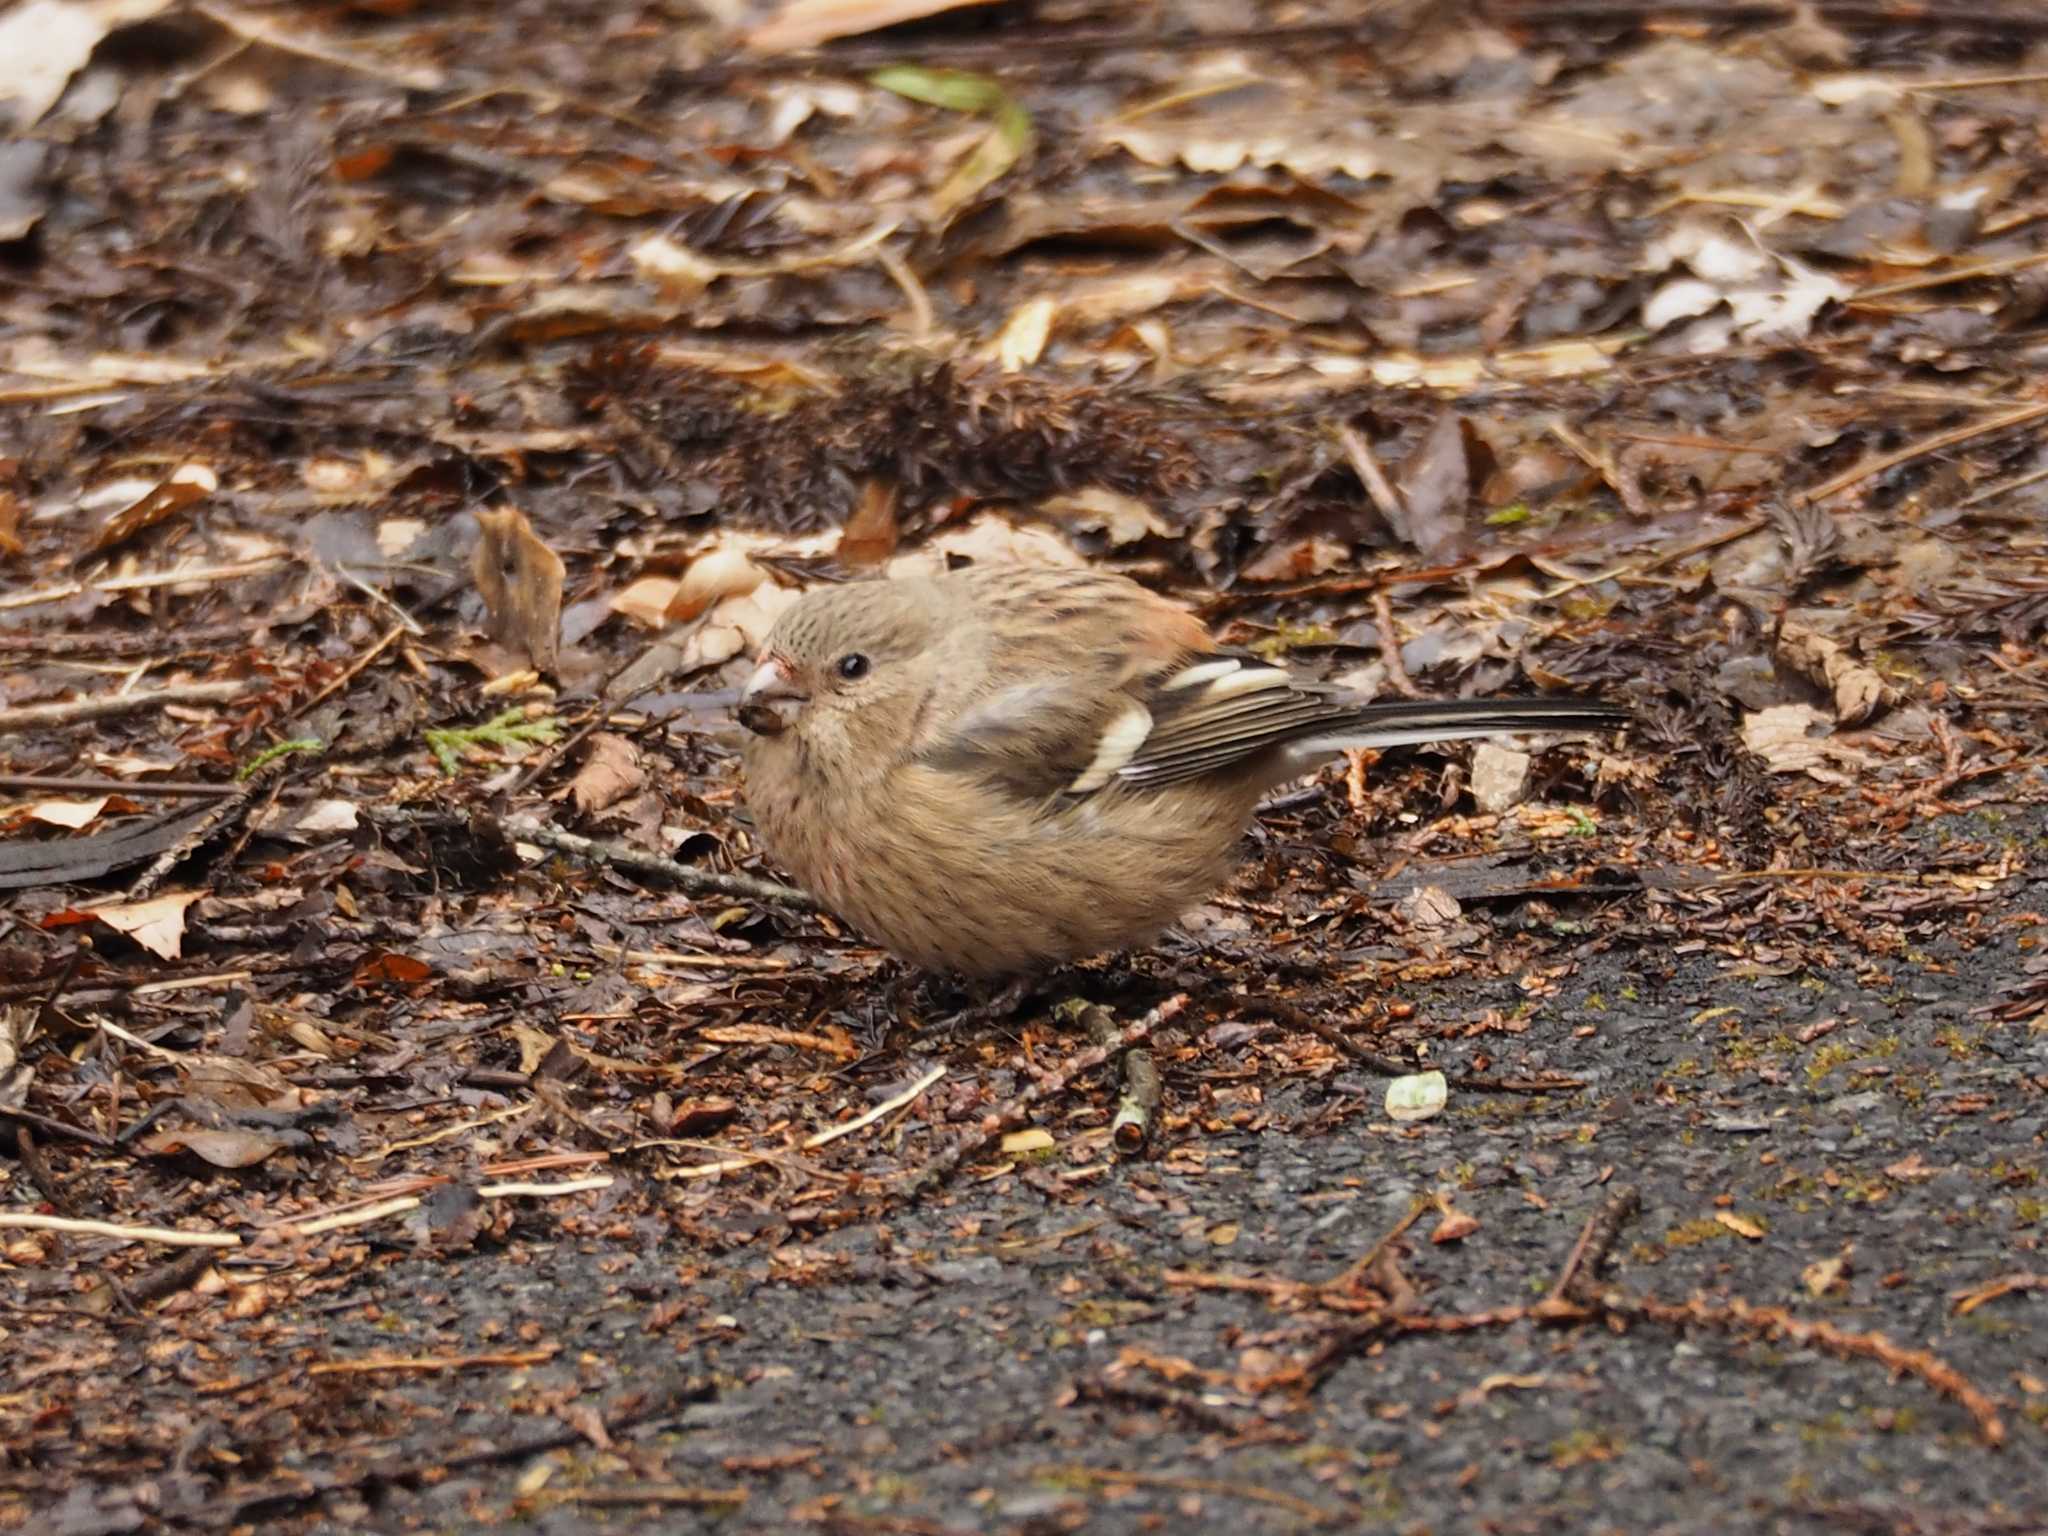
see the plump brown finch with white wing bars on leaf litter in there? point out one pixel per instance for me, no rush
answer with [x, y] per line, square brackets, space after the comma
[1005, 769]
